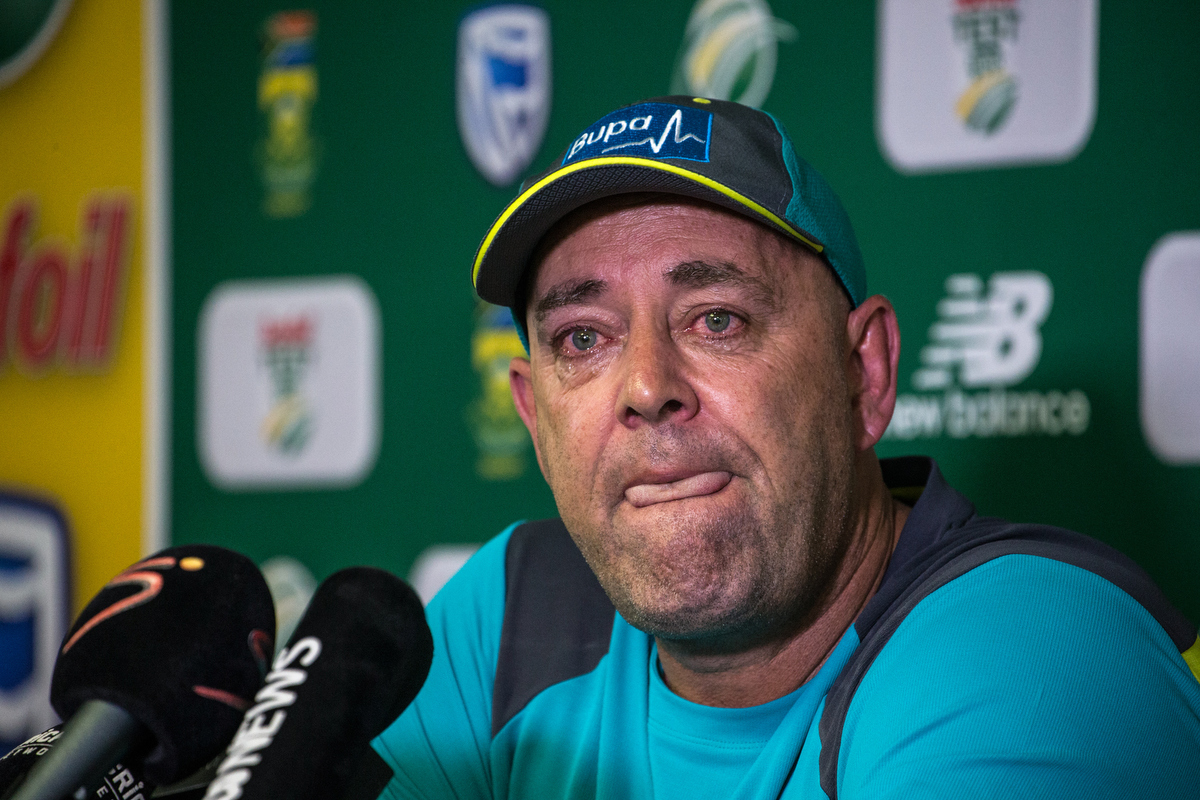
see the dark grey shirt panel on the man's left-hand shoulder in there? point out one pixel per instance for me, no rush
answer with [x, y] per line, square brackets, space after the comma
[557, 618]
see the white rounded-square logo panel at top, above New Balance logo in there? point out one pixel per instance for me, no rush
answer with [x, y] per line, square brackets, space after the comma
[967, 85]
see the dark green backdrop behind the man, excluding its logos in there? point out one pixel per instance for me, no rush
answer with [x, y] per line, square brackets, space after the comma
[397, 202]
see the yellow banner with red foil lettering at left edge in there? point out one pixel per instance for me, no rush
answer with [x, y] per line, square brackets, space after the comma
[73, 329]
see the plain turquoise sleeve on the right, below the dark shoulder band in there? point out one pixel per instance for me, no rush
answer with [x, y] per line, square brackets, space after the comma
[1029, 671]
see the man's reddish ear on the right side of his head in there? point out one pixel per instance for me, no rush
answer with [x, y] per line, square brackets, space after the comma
[874, 338]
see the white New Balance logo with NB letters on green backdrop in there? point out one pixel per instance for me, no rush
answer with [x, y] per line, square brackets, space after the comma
[987, 340]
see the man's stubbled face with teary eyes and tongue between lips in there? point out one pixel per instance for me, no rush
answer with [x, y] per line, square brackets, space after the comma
[688, 398]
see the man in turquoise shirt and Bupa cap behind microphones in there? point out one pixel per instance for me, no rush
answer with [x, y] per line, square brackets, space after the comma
[741, 600]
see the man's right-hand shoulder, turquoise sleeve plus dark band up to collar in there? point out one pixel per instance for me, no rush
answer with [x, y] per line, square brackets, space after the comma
[992, 642]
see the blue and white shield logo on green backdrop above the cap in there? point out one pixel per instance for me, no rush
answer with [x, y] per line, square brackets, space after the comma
[503, 87]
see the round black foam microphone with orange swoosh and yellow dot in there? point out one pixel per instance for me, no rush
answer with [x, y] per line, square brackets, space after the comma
[158, 671]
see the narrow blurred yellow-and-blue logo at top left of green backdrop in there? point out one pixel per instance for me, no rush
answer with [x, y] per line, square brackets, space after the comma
[289, 153]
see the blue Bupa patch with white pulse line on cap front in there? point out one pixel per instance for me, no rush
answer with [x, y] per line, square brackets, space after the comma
[649, 131]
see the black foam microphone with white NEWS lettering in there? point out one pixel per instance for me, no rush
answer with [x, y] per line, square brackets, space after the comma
[356, 661]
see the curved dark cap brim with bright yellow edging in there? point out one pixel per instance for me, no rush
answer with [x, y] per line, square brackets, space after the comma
[511, 242]
